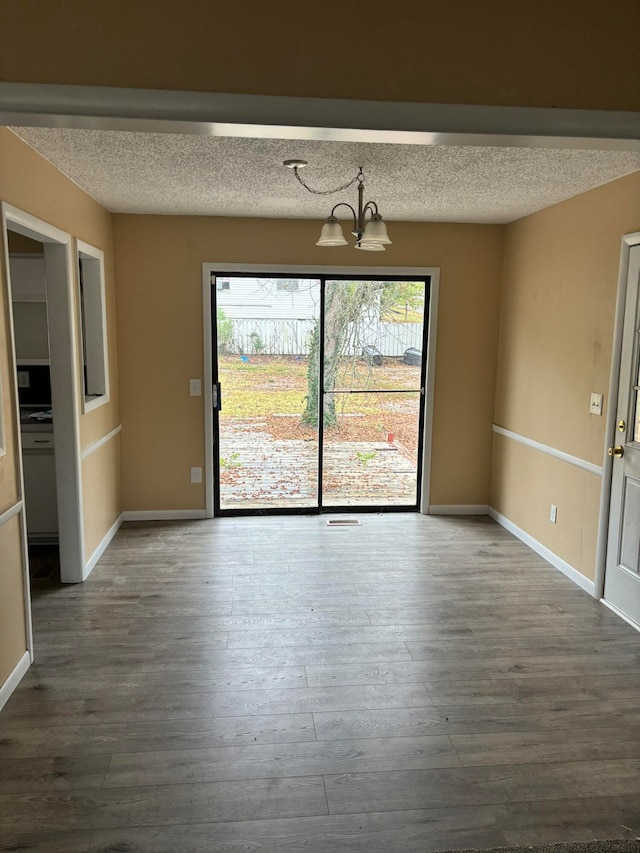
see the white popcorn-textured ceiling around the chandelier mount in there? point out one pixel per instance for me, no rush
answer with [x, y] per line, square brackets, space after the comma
[221, 176]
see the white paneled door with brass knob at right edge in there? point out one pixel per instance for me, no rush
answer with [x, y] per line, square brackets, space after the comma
[622, 578]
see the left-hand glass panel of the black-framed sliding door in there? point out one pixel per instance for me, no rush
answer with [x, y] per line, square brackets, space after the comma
[267, 444]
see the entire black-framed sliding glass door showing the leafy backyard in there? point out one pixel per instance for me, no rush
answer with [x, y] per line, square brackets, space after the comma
[319, 391]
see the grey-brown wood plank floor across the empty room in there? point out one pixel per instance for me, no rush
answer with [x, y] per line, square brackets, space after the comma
[412, 684]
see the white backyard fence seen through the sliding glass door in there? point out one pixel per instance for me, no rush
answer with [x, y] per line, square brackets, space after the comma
[293, 337]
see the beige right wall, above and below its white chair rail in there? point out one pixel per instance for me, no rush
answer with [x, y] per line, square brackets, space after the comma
[556, 333]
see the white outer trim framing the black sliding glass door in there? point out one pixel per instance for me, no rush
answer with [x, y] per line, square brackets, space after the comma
[433, 273]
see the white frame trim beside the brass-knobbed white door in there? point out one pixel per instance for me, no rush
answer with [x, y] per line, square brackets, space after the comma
[627, 242]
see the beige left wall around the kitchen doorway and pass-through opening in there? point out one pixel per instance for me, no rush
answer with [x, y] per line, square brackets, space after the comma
[31, 184]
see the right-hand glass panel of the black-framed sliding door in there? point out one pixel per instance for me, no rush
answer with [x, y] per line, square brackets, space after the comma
[373, 333]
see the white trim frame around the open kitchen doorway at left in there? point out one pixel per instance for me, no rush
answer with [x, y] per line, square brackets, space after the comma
[61, 309]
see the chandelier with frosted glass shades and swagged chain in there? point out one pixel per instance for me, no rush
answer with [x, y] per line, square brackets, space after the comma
[371, 235]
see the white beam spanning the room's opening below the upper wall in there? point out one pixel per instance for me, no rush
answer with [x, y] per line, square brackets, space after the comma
[275, 117]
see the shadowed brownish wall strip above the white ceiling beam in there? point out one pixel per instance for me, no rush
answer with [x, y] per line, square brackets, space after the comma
[575, 53]
